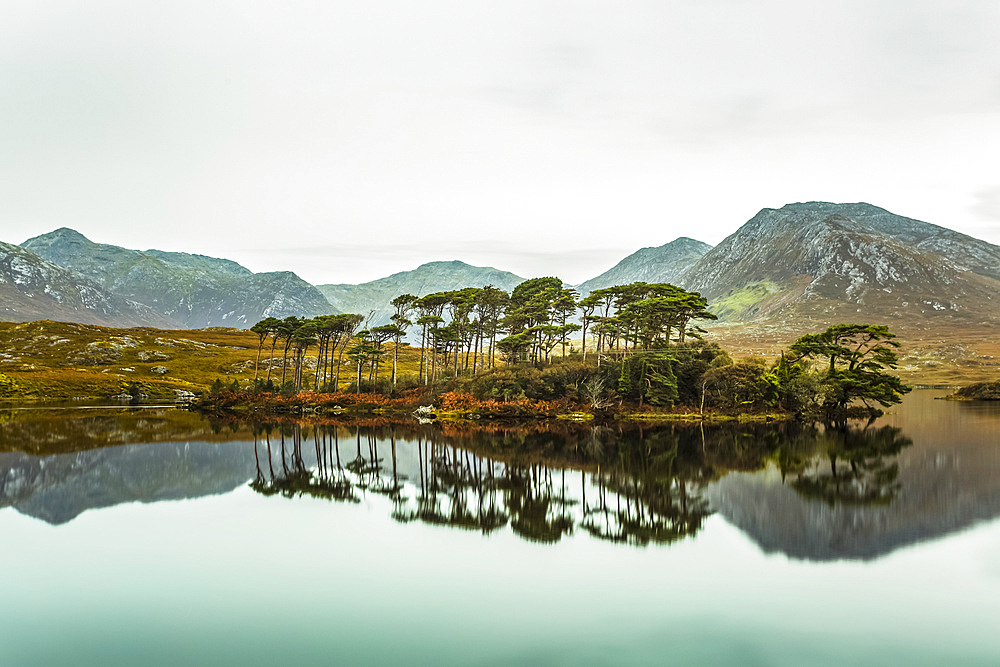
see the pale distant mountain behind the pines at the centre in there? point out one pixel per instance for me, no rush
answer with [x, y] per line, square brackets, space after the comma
[425, 279]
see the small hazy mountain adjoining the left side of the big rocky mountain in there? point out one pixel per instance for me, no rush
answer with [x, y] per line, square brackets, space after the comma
[663, 264]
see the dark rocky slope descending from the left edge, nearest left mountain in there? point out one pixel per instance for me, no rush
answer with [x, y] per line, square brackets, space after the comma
[33, 288]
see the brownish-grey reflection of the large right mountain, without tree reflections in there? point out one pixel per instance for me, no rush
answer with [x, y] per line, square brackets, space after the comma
[947, 481]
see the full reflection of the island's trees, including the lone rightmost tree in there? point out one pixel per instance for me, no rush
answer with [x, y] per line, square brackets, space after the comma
[626, 484]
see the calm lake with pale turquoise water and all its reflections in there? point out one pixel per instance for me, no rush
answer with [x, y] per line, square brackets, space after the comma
[154, 536]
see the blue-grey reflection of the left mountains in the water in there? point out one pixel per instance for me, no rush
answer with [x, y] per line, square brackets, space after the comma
[58, 488]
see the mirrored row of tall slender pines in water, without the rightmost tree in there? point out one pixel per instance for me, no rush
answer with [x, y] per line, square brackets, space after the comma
[626, 494]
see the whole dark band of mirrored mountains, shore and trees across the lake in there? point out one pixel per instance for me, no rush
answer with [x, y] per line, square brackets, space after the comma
[806, 492]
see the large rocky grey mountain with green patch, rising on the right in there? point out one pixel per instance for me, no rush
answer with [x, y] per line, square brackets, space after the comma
[832, 261]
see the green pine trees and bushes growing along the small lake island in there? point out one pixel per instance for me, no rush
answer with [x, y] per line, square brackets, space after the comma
[638, 343]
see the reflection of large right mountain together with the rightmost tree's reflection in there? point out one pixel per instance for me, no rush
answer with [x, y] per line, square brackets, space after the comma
[947, 480]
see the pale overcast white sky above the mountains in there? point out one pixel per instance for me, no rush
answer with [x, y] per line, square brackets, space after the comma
[349, 140]
